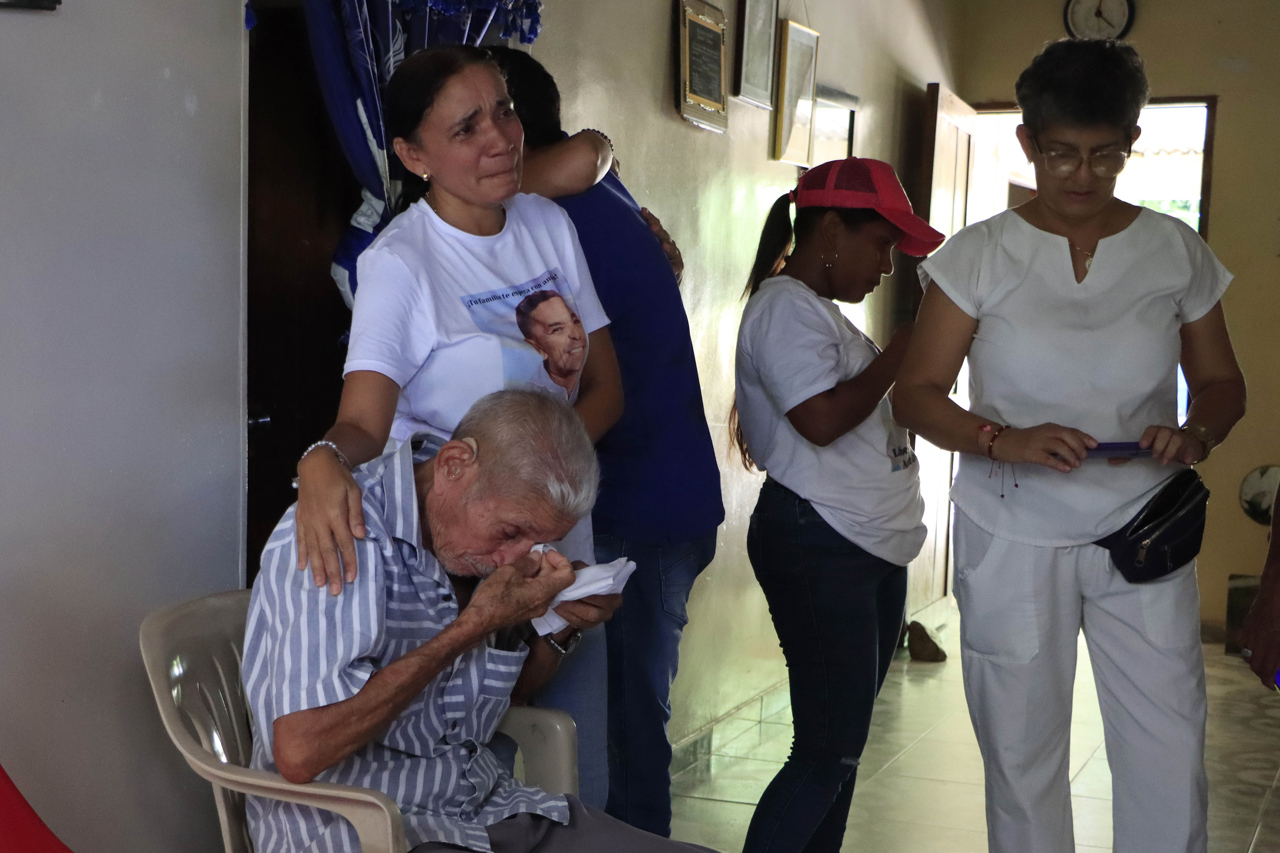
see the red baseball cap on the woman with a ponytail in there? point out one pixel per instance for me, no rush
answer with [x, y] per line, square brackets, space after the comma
[858, 183]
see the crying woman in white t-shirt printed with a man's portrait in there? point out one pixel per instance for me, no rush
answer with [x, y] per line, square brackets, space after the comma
[436, 327]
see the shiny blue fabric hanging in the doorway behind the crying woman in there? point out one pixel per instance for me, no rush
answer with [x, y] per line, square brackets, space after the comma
[356, 45]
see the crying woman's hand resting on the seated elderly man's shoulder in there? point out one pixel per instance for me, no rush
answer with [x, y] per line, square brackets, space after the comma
[330, 518]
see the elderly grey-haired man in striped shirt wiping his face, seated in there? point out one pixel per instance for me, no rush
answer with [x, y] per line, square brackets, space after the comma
[400, 682]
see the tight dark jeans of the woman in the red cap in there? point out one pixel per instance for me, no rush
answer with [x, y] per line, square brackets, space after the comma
[838, 612]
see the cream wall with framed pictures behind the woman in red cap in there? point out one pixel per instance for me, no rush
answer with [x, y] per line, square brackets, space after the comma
[614, 62]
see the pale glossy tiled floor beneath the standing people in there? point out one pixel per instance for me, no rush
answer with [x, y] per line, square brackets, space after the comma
[920, 784]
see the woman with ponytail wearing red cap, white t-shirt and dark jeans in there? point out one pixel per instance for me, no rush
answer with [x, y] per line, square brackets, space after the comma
[840, 516]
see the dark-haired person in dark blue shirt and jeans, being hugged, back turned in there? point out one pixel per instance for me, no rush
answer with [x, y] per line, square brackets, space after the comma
[660, 501]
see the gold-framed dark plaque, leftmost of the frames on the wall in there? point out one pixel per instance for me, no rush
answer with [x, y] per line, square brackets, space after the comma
[703, 79]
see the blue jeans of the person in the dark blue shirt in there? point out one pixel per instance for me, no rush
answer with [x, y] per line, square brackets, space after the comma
[644, 650]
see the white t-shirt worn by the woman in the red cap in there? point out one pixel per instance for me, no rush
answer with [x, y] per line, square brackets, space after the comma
[793, 345]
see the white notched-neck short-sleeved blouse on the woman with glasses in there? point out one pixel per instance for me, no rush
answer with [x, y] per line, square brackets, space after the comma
[1099, 355]
